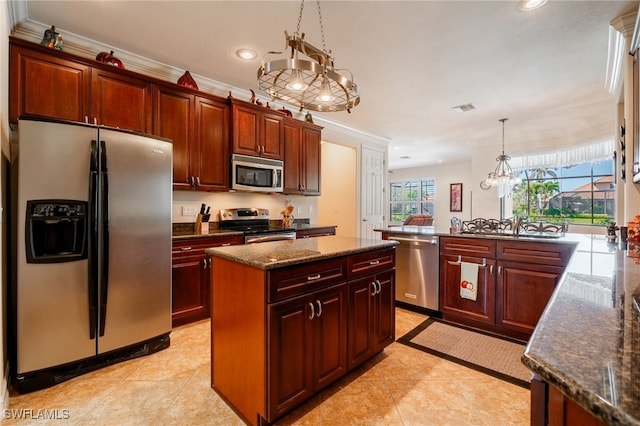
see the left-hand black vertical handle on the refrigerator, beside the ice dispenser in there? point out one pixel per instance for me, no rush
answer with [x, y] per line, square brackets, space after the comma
[93, 241]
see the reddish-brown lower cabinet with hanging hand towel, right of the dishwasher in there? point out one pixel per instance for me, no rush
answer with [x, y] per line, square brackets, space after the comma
[515, 281]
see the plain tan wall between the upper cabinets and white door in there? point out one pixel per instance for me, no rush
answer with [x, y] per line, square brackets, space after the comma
[339, 201]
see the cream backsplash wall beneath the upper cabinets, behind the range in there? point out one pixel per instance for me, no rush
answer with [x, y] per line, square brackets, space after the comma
[303, 206]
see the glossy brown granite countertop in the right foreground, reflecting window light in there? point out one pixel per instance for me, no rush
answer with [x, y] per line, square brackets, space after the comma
[587, 342]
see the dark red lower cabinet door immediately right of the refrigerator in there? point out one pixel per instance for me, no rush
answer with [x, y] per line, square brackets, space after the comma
[190, 289]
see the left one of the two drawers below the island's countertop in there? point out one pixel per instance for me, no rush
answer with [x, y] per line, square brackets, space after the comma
[296, 280]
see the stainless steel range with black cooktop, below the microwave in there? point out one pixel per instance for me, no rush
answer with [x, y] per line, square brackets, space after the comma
[254, 222]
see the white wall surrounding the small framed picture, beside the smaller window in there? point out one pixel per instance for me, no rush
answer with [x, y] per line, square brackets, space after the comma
[444, 176]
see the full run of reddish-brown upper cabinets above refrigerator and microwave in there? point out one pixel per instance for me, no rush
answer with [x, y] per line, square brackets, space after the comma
[205, 129]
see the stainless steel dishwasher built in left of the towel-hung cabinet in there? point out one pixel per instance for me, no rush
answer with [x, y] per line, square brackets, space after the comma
[417, 266]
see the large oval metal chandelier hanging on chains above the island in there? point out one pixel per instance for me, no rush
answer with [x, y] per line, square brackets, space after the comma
[311, 82]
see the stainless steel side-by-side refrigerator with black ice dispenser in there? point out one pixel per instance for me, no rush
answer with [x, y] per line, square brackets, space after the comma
[91, 281]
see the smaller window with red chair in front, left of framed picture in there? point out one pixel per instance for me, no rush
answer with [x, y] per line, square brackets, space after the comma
[411, 197]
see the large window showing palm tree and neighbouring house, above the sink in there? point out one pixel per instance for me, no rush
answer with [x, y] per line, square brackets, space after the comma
[581, 194]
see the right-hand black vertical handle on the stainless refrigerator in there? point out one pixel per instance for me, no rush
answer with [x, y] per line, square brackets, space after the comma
[104, 206]
